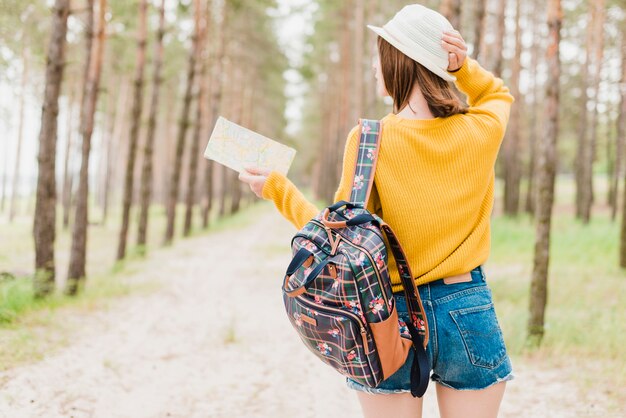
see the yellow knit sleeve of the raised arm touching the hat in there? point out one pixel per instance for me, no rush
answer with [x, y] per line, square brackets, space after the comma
[489, 99]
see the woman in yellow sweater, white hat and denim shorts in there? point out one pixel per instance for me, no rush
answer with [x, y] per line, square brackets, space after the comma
[434, 186]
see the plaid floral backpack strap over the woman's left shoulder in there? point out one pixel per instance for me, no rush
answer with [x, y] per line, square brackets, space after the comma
[369, 145]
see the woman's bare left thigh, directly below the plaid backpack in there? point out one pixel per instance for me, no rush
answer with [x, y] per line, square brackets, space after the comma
[397, 405]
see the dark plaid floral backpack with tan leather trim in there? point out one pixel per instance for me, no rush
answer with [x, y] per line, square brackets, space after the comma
[337, 291]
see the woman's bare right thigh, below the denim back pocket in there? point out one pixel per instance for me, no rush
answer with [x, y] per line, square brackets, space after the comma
[470, 403]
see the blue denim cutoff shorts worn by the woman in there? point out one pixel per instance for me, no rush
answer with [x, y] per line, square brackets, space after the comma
[466, 350]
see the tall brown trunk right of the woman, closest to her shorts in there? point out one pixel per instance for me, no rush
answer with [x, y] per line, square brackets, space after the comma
[545, 180]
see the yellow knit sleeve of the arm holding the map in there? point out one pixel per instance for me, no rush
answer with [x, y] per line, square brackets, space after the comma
[290, 201]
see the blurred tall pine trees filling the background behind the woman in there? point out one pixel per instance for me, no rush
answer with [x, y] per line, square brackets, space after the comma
[132, 89]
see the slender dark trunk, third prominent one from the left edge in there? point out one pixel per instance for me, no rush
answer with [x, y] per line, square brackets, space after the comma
[134, 129]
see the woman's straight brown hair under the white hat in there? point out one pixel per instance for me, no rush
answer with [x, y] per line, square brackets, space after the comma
[400, 73]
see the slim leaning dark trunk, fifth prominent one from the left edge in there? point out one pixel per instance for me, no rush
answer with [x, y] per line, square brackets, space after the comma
[182, 132]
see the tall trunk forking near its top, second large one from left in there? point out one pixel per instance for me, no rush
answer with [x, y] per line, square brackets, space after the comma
[76, 271]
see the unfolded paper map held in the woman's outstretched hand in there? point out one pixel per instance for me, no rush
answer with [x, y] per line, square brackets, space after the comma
[235, 146]
